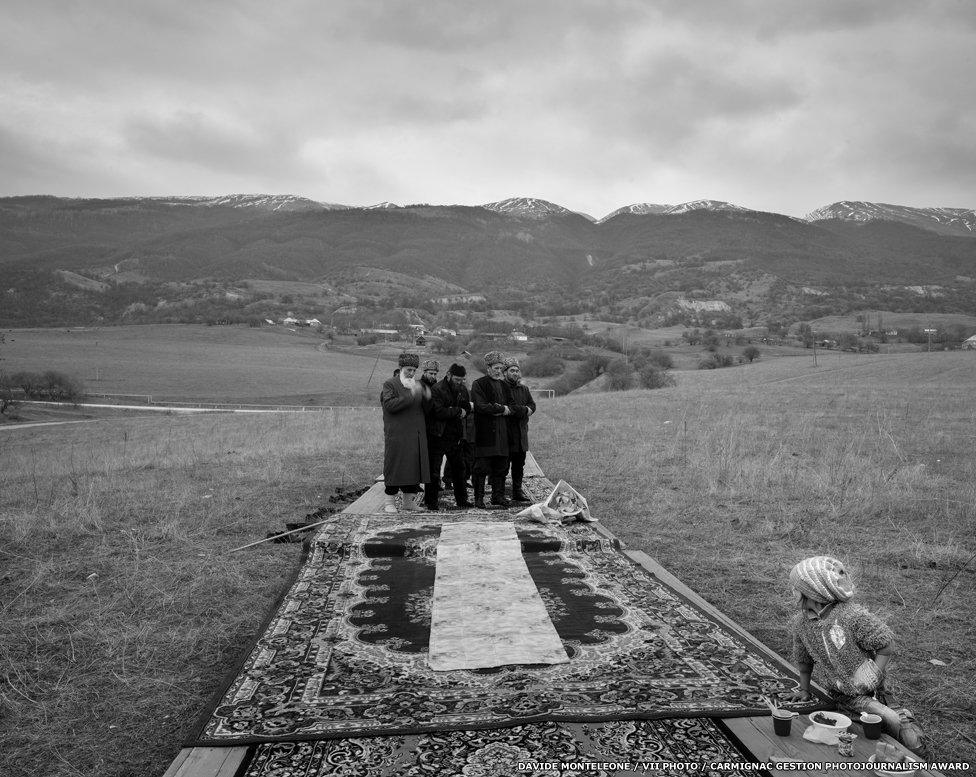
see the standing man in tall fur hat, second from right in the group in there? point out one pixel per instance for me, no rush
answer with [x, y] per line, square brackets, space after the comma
[490, 432]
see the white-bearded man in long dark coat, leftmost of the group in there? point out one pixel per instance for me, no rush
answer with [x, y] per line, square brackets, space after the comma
[405, 460]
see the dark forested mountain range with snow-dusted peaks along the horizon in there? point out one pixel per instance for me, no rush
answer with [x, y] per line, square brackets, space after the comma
[171, 258]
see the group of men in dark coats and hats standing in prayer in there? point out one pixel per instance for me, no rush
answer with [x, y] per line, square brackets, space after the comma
[482, 433]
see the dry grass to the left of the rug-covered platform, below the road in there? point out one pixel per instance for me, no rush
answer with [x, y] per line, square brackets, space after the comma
[121, 608]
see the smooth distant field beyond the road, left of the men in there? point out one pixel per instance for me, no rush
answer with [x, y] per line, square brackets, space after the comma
[218, 363]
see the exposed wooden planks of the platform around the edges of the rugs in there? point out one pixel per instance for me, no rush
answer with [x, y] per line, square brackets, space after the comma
[754, 733]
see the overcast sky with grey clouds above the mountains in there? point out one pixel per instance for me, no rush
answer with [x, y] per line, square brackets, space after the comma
[779, 105]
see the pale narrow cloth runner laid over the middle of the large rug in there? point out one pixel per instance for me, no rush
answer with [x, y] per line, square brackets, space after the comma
[486, 609]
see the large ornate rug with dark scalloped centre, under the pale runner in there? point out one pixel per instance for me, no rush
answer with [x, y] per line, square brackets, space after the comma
[344, 655]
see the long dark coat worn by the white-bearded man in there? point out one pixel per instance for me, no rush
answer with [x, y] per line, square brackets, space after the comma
[405, 461]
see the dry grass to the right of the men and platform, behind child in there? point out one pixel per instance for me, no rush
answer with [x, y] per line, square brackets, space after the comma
[729, 479]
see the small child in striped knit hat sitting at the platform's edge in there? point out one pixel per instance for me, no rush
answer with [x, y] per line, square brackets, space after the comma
[851, 645]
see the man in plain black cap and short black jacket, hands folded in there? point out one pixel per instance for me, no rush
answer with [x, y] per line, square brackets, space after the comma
[450, 408]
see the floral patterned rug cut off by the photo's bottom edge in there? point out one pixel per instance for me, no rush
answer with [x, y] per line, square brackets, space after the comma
[658, 747]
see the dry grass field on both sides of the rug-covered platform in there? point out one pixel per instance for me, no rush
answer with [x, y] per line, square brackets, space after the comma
[122, 608]
